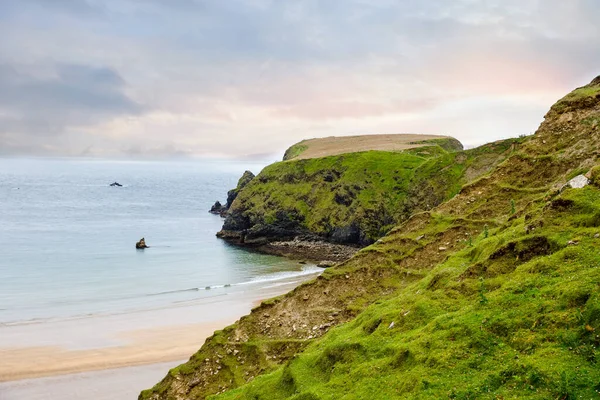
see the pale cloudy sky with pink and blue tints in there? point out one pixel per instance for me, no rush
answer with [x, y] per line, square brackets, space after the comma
[248, 78]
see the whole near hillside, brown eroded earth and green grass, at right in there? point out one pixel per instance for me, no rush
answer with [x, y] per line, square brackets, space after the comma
[492, 294]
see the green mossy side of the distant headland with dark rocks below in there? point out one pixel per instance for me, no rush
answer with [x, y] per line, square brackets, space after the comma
[353, 198]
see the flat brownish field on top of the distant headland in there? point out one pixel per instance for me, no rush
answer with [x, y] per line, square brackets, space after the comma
[325, 147]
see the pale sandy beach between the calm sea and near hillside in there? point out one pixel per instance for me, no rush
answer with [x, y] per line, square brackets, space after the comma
[162, 336]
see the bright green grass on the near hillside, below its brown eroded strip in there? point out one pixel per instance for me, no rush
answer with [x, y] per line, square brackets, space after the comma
[535, 336]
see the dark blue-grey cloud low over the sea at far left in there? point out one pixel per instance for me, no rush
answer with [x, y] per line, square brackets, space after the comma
[71, 96]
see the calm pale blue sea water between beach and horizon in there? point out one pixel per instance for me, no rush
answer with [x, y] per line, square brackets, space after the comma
[67, 239]
